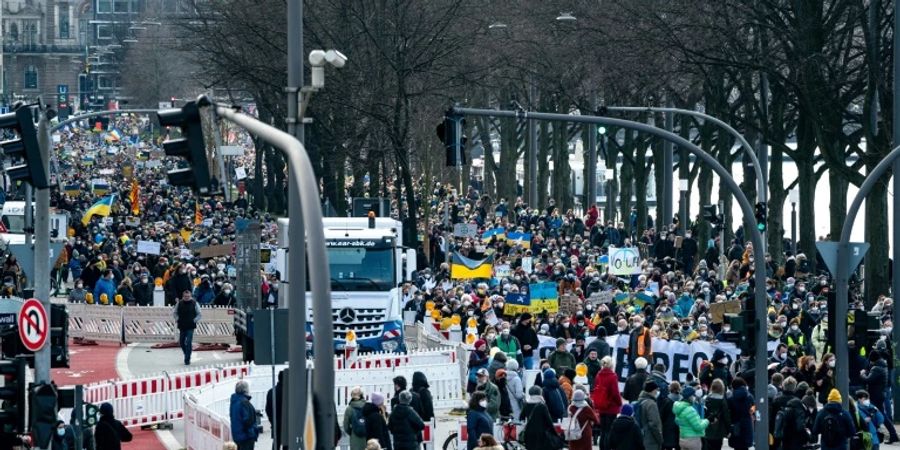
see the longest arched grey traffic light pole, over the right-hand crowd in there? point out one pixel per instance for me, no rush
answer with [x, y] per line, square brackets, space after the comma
[759, 276]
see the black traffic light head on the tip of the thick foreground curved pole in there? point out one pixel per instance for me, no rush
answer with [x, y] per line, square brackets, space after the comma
[190, 146]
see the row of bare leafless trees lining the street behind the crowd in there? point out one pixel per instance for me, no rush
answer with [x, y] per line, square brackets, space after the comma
[815, 73]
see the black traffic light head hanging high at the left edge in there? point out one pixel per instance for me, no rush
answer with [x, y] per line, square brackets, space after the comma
[34, 170]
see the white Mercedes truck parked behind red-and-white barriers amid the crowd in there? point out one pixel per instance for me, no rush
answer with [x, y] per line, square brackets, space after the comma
[368, 263]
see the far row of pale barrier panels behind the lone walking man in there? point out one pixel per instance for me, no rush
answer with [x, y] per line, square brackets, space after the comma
[151, 324]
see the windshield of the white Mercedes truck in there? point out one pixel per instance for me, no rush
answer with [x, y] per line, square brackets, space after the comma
[361, 269]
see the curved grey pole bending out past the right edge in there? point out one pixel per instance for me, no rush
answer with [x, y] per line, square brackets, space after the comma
[842, 277]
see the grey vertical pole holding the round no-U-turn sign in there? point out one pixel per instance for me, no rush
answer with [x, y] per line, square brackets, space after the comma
[42, 251]
